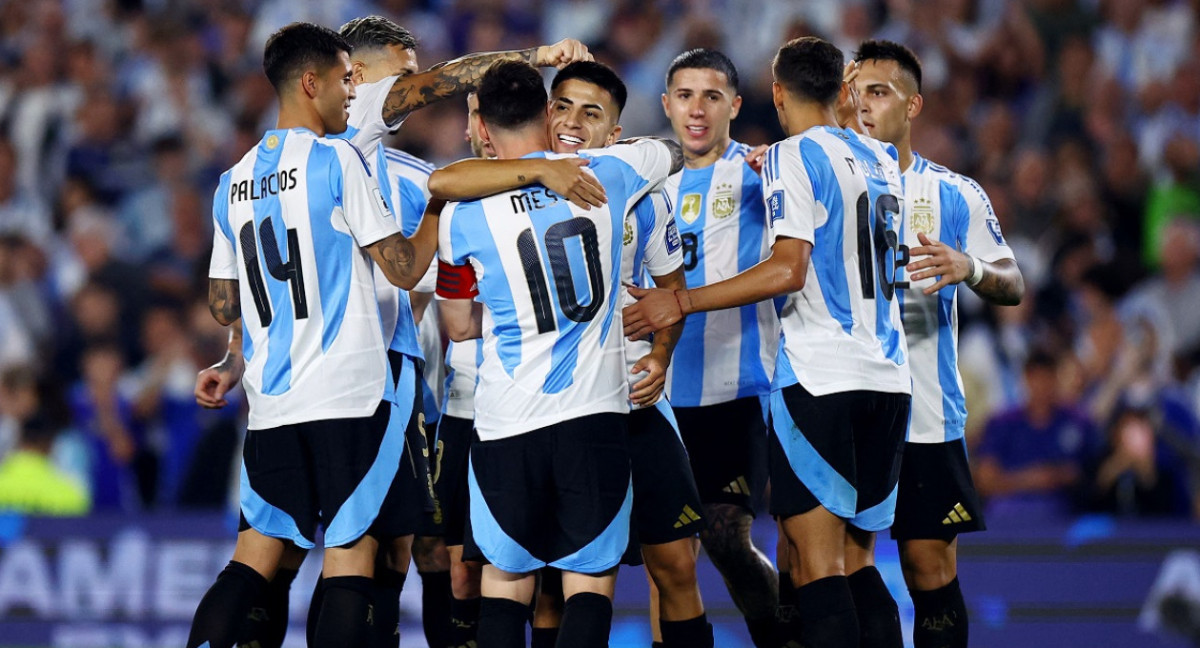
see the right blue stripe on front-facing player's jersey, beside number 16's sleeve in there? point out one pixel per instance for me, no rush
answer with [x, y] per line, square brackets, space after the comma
[752, 224]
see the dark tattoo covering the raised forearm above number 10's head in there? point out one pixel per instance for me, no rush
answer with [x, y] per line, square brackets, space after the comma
[445, 81]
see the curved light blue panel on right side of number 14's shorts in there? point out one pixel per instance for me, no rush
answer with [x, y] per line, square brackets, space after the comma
[359, 511]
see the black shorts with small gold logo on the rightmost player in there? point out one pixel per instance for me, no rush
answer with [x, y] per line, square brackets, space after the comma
[938, 499]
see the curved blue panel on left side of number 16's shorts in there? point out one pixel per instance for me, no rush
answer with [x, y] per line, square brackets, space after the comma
[832, 490]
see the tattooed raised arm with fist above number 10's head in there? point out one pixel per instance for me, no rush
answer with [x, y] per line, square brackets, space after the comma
[453, 79]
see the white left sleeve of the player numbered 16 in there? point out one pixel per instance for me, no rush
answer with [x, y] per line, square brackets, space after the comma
[788, 191]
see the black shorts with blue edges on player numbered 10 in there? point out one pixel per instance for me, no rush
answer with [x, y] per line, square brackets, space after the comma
[560, 496]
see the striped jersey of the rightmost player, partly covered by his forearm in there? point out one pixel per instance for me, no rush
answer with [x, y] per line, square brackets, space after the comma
[953, 209]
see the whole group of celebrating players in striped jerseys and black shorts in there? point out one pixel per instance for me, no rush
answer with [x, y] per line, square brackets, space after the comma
[639, 331]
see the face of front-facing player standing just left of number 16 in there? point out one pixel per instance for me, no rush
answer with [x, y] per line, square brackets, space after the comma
[700, 105]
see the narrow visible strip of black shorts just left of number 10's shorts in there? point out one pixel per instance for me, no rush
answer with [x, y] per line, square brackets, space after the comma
[453, 453]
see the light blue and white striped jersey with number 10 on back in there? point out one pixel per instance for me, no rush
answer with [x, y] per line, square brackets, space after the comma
[549, 275]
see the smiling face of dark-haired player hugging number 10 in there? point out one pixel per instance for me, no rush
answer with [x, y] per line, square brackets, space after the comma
[583, 116]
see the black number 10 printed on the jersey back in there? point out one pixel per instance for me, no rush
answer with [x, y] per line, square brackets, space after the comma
[561, 272]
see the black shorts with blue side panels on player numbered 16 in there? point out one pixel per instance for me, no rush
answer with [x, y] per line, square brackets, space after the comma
[841, 452]
